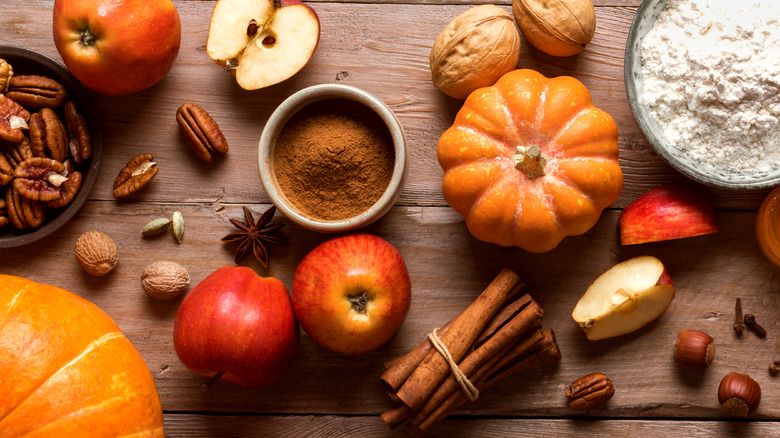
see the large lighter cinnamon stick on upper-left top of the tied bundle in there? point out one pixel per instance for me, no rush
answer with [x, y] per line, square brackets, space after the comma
[464, 329]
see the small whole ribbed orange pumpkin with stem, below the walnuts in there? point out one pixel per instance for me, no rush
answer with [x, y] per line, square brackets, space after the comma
[530, 160]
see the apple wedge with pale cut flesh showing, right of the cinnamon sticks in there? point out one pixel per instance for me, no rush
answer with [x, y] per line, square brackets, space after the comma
[625, 298]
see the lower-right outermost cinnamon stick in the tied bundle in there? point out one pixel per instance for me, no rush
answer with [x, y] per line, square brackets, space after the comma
[546, 350]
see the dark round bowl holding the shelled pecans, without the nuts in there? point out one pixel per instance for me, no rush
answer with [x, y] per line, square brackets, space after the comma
[26, 61]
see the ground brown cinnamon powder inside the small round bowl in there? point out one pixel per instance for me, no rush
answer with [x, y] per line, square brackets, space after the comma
[334, 159]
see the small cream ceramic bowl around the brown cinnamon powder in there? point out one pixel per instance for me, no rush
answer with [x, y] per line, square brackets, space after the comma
[293, 105]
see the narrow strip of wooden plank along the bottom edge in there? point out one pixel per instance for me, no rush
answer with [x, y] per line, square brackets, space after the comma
[371, 427]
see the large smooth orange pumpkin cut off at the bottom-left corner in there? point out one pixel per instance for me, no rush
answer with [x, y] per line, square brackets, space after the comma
[67, 371]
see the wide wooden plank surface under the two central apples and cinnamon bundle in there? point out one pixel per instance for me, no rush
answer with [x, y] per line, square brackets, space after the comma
[449, 269]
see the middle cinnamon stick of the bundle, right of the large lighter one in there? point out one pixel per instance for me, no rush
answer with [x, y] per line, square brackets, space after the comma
[530, 318]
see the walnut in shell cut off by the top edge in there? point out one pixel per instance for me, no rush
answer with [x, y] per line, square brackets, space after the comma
[556, 27]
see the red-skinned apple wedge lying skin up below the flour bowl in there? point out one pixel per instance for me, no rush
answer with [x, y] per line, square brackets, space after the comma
[670, 211]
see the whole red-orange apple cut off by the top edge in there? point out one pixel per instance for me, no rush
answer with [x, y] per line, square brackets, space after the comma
[117, 47]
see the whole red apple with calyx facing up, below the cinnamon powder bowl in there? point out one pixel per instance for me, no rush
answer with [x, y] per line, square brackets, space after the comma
[352, 293]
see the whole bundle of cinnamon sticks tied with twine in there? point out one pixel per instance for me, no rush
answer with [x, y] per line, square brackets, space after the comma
[493, 338]
